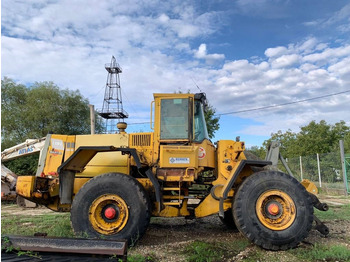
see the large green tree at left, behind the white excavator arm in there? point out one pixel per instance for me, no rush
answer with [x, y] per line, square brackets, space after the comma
[38, 110]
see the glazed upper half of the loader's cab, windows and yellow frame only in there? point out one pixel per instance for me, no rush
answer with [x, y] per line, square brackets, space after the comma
[179, 118]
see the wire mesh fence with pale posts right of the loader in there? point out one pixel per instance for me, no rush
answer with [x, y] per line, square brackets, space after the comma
[325, 170]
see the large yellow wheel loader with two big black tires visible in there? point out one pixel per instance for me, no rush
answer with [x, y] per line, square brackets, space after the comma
[112, 184]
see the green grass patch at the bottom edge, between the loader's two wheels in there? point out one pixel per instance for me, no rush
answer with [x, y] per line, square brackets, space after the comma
[200, 251]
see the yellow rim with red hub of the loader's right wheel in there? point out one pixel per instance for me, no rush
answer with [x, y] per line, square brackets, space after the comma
[275, 210]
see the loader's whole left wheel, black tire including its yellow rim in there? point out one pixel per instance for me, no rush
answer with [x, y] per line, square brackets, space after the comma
[111, 206]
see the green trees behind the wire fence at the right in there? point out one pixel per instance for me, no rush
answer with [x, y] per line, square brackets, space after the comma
[315, 138]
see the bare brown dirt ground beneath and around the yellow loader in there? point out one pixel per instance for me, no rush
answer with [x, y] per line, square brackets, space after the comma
[166, 237]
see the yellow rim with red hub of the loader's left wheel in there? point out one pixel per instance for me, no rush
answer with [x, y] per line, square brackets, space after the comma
[108, 214]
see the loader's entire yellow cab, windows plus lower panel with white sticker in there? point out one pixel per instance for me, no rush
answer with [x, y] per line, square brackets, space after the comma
[181, 141]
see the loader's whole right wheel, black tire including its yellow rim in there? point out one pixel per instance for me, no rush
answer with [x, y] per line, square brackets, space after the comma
[273, 210]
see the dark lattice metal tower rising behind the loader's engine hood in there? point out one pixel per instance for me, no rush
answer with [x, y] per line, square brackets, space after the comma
[112, 110]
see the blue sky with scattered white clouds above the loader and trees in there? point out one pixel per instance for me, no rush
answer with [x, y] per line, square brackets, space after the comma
[244, 54]
